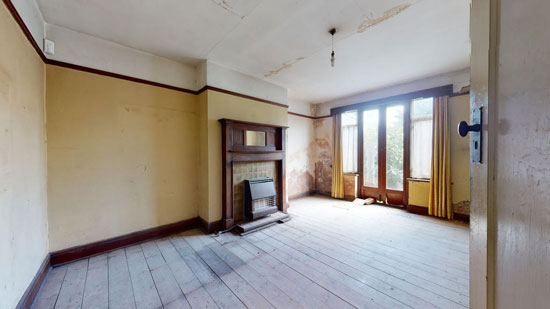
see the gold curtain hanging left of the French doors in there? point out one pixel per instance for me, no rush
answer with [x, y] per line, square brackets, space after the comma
[337, 163]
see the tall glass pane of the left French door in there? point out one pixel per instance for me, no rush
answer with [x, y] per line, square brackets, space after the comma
[370, 148]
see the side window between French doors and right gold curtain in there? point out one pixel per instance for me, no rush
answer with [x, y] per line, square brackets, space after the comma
[421, 137]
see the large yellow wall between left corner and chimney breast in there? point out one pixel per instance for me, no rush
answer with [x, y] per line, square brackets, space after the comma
[122, 156]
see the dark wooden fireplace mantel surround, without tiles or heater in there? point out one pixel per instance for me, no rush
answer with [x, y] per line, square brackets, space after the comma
[234, 149]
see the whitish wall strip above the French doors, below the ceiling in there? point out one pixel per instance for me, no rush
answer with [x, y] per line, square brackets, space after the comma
[459, 79]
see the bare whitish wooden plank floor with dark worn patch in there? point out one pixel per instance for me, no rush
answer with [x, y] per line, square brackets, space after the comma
[331, 254]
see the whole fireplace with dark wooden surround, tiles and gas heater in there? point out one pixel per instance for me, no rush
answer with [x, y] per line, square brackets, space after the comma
[251, 151]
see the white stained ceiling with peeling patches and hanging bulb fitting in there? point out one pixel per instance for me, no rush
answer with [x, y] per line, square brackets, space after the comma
[378, 42]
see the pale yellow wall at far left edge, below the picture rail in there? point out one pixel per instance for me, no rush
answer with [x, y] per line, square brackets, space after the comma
[23, 200]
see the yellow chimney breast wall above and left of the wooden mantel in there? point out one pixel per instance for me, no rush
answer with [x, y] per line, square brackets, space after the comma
[222, 105]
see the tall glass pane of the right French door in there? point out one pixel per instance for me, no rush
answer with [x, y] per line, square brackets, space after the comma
[394, 147]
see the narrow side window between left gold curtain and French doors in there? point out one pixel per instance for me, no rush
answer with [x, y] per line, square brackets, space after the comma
[349, 141]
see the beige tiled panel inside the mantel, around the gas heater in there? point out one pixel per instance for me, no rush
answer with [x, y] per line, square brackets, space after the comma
[248, 170]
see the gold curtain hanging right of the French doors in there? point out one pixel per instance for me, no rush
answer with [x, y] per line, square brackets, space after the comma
[440, 203]
